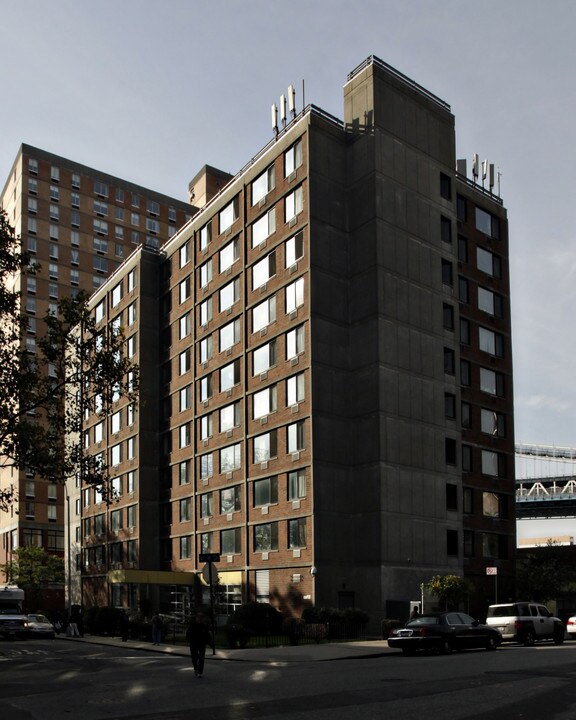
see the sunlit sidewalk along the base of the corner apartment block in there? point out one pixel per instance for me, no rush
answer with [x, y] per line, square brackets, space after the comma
[281, 654]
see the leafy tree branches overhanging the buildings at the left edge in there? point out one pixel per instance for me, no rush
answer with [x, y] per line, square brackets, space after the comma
[44, 394]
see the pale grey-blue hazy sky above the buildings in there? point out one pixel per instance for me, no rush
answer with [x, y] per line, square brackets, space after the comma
[151, 91]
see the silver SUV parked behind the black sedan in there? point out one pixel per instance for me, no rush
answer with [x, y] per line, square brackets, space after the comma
[525, 622]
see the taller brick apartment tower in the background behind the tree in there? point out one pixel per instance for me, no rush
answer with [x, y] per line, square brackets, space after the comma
[80, 224]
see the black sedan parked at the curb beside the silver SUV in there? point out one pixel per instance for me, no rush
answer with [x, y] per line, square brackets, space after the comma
[444, 632]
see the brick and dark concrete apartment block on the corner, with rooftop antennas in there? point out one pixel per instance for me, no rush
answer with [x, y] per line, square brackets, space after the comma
[326, 396]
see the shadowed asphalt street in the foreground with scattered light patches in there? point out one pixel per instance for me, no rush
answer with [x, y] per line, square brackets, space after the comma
[49, 680]
